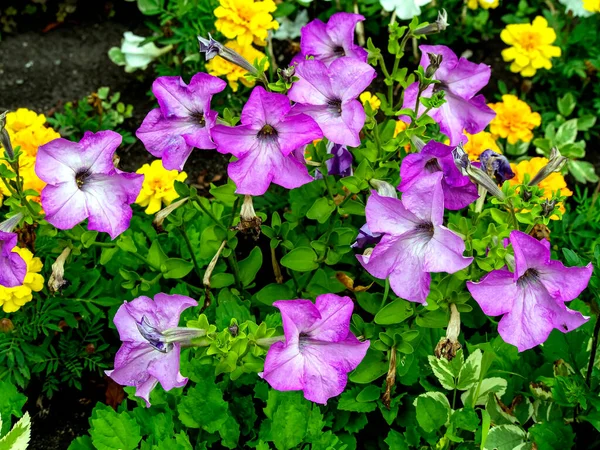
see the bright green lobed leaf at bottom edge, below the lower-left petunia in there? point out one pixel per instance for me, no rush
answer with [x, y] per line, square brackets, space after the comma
[112, 431]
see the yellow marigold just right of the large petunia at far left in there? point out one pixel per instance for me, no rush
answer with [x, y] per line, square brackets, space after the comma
[159, 186]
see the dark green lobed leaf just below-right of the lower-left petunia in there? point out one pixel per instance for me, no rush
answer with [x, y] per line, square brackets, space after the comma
[203, 406]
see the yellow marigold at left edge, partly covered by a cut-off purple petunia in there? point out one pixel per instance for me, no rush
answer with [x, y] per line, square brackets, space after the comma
[11, 299]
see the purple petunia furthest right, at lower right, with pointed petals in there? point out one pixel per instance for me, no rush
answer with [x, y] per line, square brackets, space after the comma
[532, 299]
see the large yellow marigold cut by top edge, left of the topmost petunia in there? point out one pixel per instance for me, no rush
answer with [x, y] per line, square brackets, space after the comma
[247, 21]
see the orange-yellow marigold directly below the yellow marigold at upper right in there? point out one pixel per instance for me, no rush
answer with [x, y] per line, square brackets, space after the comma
[514, 119]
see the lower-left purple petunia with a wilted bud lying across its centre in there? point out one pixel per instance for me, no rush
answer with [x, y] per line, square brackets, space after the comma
[146, 356]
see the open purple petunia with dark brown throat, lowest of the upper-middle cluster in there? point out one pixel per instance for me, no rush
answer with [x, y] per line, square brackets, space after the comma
[263, 144]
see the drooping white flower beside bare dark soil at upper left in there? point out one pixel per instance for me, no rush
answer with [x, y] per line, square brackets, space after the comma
[132, 55]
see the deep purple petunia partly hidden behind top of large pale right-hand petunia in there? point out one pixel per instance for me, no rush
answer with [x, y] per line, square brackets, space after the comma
[459, 190]
